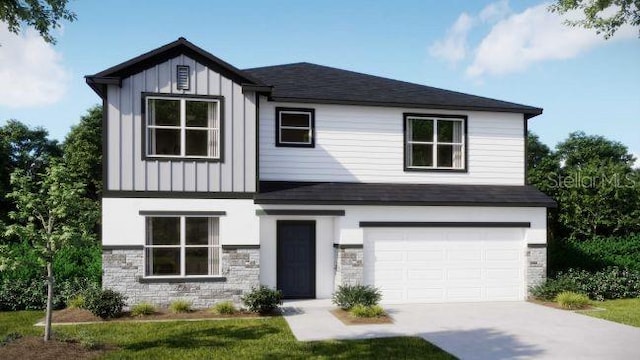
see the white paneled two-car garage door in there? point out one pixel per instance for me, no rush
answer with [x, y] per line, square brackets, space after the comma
[446, 264]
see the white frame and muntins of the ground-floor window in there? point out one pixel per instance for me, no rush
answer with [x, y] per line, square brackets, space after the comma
[214, 245]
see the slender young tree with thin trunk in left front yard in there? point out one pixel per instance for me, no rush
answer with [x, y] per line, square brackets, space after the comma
[51, 213]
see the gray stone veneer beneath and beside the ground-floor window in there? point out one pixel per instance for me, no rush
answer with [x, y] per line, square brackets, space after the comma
[123, 271]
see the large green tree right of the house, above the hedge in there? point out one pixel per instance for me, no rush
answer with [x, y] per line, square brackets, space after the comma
[593, 181]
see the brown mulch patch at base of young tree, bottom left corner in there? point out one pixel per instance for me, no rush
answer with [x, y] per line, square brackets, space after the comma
[35, 348]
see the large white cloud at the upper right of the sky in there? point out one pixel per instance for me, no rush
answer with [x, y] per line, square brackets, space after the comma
[534, 35]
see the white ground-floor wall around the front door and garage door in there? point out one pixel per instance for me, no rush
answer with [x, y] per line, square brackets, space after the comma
[343, 264]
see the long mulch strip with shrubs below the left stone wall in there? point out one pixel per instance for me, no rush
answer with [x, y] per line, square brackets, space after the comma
[79, 315]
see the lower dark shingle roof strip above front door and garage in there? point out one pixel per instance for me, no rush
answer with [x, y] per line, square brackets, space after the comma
[273, 192]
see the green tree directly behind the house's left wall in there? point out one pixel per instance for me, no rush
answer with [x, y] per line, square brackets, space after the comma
[82, 151]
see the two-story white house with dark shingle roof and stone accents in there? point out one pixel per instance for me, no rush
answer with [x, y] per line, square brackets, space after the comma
[304, 177]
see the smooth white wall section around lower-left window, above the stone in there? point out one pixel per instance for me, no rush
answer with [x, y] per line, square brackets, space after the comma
[122, 225]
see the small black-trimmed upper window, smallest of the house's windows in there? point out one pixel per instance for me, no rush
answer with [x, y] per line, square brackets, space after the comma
[295, 127]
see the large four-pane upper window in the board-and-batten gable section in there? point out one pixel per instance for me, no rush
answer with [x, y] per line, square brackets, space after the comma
[183, 127]
